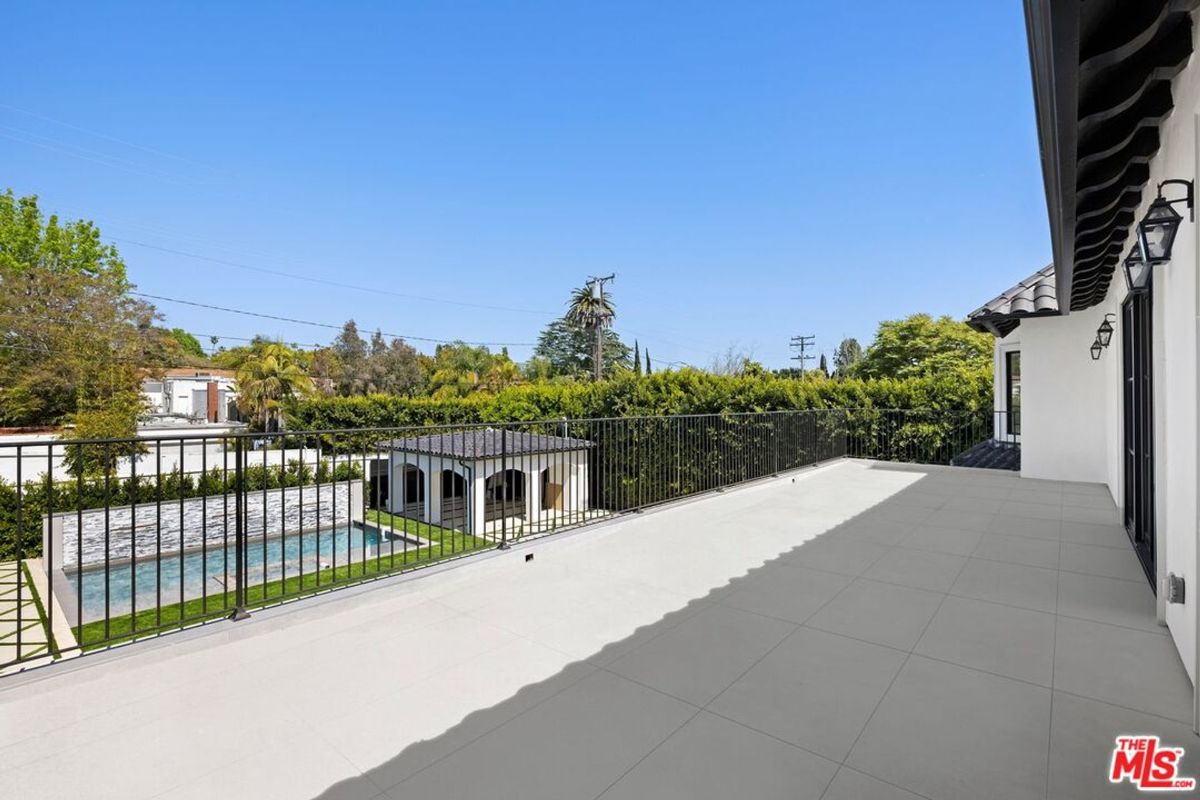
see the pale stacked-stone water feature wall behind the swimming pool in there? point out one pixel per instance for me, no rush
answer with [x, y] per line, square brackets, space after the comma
[194, 521]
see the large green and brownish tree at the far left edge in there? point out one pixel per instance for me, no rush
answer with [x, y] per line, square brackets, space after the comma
[70, 332]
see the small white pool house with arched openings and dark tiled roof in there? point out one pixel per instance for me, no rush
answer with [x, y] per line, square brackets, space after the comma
[484, 480]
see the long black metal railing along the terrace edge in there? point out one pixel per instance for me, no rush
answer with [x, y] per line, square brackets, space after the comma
[106, 542]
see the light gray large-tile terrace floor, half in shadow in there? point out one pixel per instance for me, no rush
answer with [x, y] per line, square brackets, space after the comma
[861, 634]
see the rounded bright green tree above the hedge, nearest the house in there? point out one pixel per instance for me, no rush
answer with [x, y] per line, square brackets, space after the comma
[922, 346]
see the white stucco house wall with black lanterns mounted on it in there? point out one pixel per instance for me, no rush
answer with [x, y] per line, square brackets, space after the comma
[1073, 408]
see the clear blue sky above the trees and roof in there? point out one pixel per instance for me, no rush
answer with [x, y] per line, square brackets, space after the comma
[749, 171]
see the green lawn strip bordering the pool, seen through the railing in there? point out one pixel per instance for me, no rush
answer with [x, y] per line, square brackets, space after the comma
[441, 544]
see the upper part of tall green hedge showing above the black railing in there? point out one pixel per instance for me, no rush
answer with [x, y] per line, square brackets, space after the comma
[686, 392]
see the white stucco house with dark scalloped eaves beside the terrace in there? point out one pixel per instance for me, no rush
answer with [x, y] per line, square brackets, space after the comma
[1118, 97]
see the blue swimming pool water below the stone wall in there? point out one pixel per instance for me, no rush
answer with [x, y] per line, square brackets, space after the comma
[212, 573]
